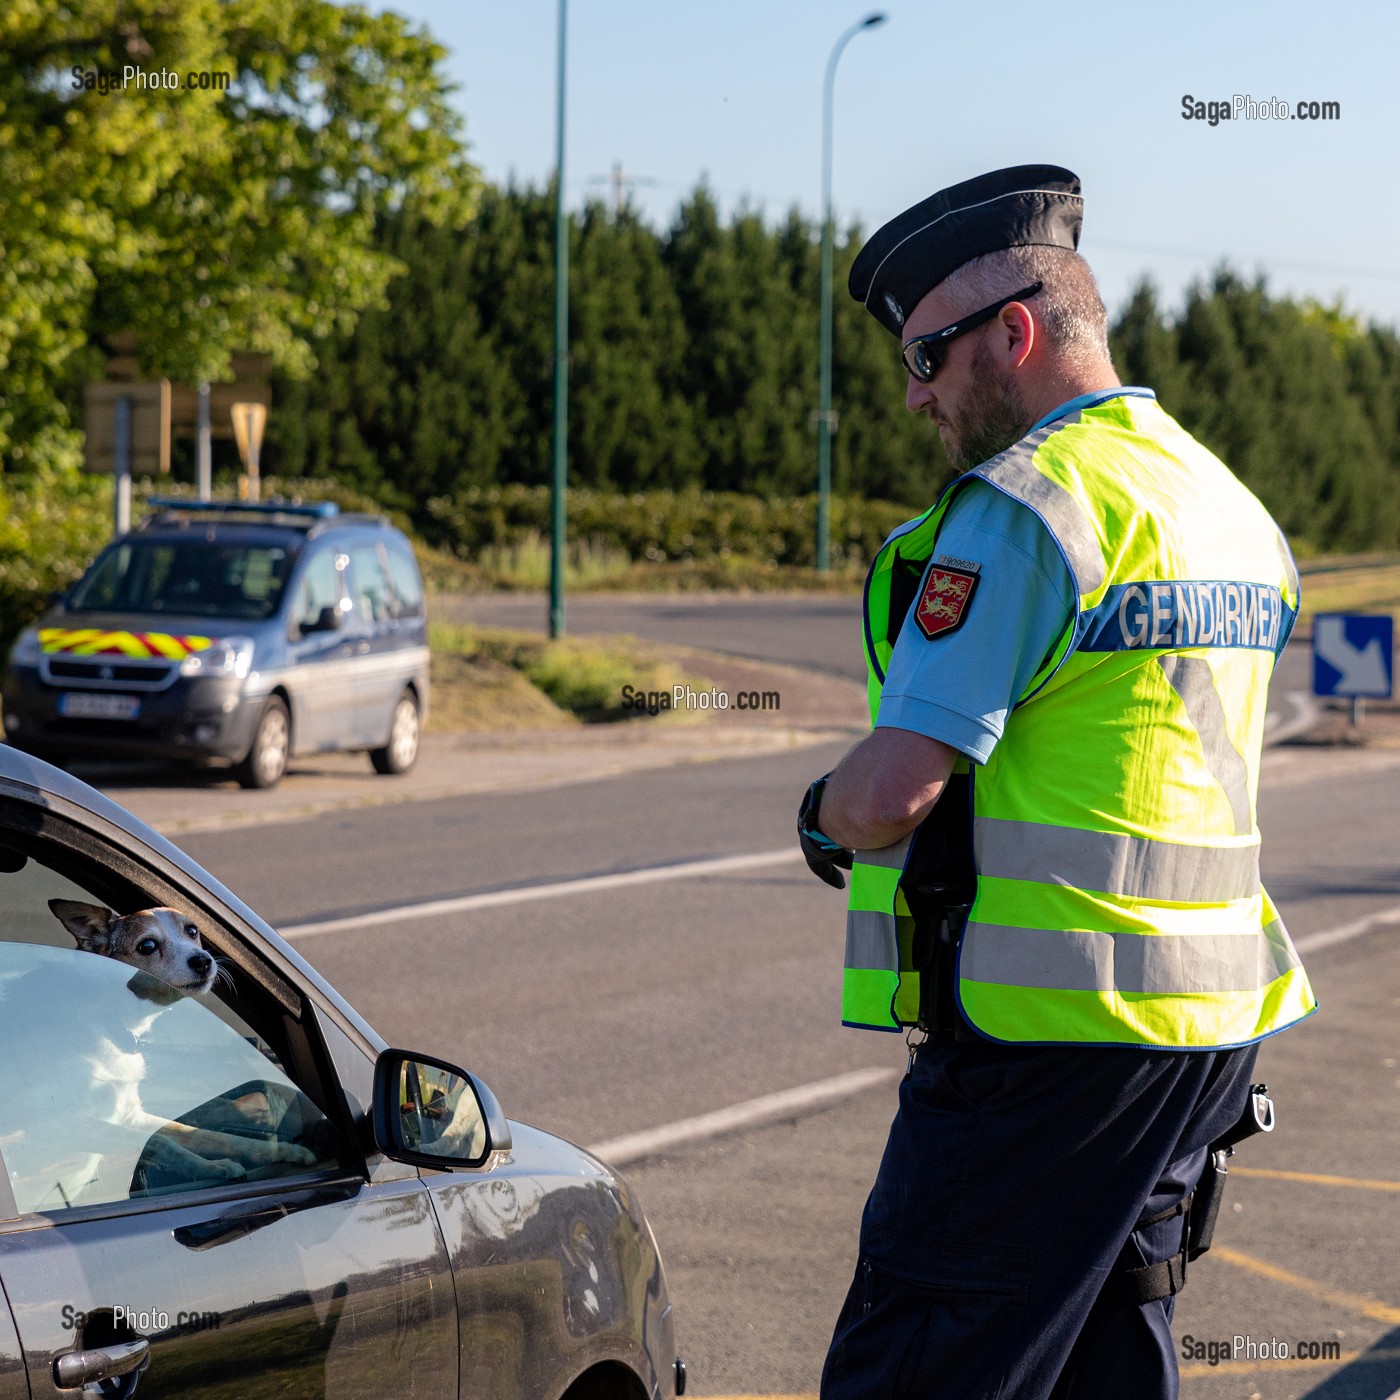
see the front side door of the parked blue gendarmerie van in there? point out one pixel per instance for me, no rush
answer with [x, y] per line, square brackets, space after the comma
[320, 677]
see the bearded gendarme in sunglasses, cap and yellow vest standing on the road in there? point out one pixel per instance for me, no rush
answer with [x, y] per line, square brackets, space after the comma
[1051, 831]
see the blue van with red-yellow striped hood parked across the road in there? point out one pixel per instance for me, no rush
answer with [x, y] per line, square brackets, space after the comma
[243, 633]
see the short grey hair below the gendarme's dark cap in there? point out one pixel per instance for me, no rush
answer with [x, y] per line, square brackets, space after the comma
[1069, 310]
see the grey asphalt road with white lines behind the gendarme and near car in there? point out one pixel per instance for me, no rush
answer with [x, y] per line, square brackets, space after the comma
[629, 1009]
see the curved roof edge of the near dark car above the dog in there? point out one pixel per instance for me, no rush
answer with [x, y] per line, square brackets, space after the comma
[45, 786]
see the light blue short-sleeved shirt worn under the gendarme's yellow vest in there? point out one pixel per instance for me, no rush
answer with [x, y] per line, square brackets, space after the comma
[961, 687]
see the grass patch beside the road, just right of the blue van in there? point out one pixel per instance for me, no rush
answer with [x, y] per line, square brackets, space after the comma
[491, 678]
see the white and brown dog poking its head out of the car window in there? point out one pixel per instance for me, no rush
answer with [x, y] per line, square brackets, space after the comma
[170, 962]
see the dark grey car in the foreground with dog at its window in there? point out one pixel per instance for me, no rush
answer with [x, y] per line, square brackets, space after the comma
[379, 1227]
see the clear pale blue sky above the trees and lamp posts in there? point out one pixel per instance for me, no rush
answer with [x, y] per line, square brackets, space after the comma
[731, 92]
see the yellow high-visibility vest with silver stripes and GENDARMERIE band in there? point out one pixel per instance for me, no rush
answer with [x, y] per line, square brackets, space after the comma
[1115, 846]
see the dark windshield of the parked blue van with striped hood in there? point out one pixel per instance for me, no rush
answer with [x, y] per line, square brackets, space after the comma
[194, 577]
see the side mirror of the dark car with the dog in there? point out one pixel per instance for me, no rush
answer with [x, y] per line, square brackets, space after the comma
[432, 1114]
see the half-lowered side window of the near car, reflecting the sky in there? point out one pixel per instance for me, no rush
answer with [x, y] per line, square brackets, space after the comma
[117, 1086]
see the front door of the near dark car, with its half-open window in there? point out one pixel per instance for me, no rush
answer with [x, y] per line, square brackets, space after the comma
[183, 1179]
